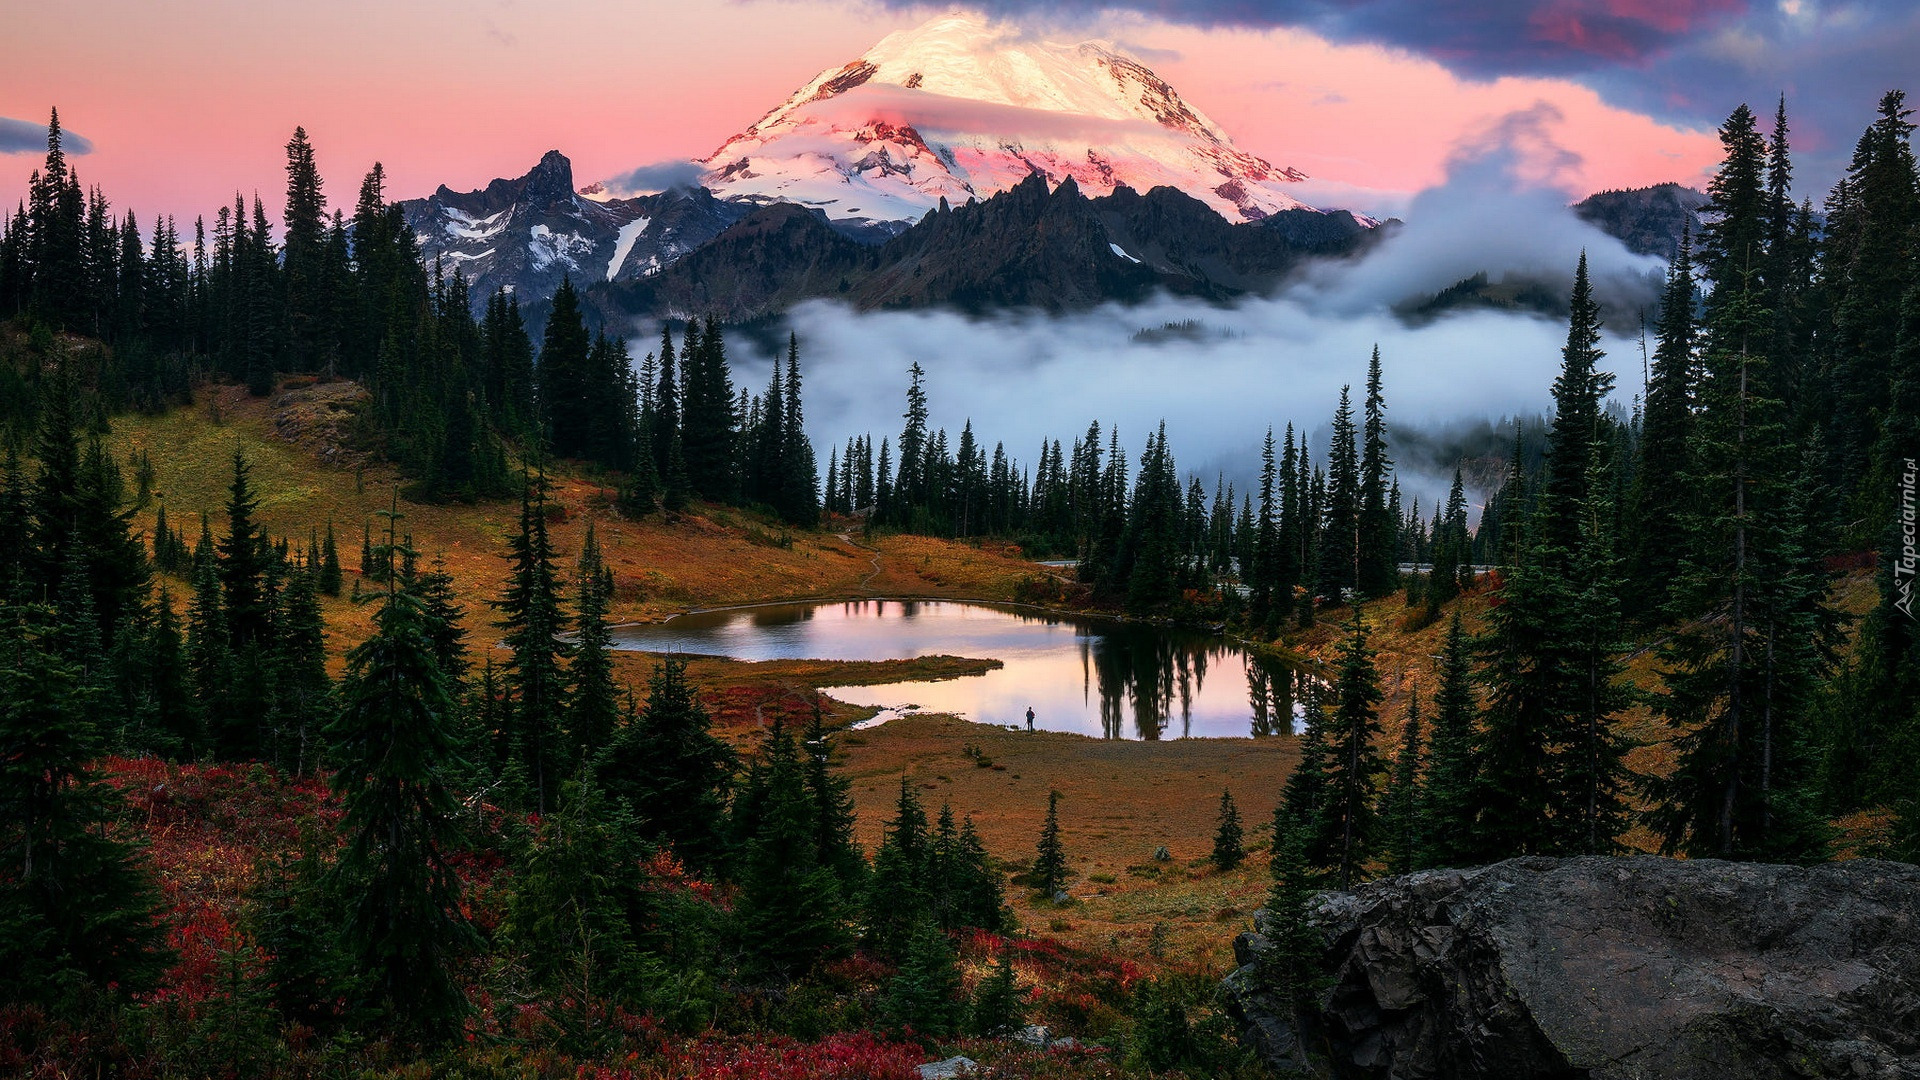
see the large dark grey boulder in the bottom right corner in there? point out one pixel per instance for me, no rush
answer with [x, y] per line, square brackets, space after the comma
[1606, 970]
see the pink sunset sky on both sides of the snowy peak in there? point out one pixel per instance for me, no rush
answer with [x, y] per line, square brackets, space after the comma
[187, 103]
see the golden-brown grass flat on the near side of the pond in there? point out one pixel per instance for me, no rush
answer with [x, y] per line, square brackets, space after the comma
[1120, 802]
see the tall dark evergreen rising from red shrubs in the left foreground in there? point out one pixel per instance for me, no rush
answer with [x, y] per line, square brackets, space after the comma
[395, 747]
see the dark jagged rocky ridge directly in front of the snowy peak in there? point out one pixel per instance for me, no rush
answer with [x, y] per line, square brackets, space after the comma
[1028, 247]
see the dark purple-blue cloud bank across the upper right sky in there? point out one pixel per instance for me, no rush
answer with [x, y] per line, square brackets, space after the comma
[1685, 62]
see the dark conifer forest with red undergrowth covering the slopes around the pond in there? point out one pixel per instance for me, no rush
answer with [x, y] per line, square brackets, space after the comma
[514, 862]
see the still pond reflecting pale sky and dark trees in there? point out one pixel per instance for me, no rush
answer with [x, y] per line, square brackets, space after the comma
[1078, 675]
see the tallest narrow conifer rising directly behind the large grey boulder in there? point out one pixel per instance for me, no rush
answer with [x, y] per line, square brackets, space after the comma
[1750, 591]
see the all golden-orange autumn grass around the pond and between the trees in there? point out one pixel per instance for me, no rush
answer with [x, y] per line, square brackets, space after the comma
[1122, 802]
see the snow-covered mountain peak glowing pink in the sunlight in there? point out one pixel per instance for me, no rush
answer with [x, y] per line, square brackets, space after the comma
[963, 109]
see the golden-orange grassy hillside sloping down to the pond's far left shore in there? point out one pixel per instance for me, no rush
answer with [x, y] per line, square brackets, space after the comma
[709, 558]
